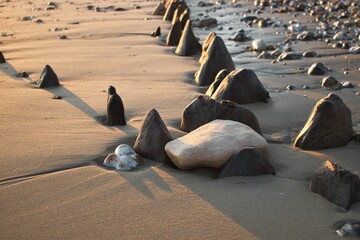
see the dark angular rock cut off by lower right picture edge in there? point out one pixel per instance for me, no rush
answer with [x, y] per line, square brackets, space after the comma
[336, 184]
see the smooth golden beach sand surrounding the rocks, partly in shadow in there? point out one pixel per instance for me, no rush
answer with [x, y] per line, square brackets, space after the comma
[52, 182]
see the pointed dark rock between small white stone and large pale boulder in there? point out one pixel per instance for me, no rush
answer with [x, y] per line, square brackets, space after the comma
[152, 137]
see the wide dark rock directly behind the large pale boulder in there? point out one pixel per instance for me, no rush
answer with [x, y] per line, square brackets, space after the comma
[204, 110]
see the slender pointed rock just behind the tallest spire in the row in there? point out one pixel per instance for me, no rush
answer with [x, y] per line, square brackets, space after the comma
[188, 44]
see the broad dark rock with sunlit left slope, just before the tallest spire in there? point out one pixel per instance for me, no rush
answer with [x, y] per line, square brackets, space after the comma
[241, 86]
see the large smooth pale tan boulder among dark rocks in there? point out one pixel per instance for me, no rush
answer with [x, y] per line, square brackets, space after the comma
[212, 144]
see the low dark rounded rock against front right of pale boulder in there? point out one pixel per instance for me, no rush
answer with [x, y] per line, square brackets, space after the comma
[247, 161]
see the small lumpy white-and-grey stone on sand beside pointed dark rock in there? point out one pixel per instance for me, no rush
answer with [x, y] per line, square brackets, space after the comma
[123, 159]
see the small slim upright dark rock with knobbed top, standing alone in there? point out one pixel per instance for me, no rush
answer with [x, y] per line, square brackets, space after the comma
[115, 108]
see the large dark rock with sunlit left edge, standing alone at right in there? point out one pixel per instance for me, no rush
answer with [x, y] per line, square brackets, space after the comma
[329, 125]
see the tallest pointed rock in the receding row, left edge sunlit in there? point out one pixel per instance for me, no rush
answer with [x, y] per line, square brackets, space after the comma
[216, 58]
